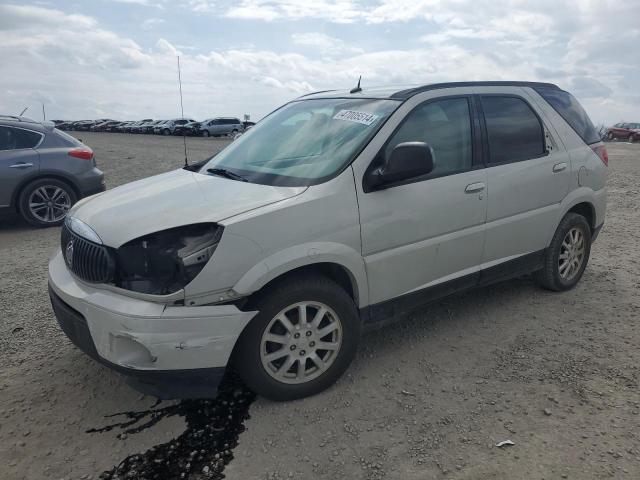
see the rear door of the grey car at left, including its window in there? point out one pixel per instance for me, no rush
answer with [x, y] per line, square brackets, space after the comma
[18, 159]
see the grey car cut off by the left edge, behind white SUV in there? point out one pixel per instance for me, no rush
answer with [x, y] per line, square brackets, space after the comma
[43, 171]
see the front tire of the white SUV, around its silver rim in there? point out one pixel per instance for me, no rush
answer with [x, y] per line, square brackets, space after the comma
[289, 297]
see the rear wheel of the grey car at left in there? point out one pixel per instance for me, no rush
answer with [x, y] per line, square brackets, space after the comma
[55, 198]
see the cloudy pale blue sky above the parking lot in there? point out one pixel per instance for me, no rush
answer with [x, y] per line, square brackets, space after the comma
[117, 58]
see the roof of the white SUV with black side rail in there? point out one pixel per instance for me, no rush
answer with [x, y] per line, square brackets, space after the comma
[403, 92]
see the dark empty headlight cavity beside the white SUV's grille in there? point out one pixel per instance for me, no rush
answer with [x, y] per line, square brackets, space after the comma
[162, 263]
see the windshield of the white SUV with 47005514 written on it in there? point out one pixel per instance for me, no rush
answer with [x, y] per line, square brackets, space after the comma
[305, 142]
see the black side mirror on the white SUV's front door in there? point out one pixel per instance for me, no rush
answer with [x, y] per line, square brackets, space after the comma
[407, 160]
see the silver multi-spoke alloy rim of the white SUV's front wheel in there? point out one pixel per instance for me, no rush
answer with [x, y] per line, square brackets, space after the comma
[301, 342]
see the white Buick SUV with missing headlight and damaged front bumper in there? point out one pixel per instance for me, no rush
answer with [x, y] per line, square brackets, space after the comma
[338, 212]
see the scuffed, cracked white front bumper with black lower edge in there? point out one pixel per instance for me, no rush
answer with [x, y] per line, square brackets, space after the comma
[166, 351]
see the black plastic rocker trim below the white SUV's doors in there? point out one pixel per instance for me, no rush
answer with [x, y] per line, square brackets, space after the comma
[383, 313]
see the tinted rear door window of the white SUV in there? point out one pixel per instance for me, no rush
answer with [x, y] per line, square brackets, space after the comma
[514, 131]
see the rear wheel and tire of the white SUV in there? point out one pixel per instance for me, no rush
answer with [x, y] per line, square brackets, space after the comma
[552, 276]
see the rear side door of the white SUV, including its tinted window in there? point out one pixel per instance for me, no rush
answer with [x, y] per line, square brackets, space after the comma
[528, 174]
